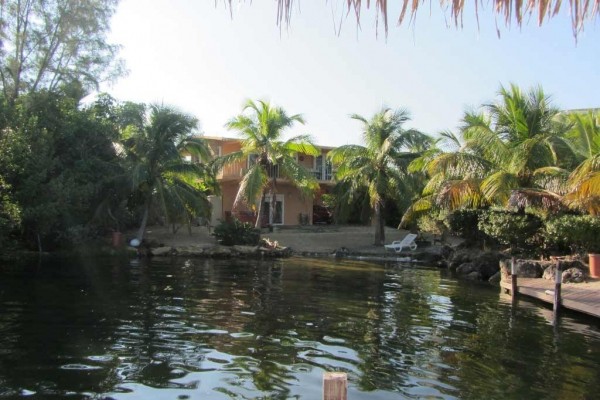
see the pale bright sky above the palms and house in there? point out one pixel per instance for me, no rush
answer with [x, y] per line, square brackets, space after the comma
[207, 60]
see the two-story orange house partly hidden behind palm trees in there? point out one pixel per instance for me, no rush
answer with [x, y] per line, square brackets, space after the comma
[291, 207]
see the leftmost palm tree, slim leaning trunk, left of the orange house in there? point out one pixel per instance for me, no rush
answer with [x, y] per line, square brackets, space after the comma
[158, 174]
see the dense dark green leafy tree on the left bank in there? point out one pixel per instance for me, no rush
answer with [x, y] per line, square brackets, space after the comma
[56, 159]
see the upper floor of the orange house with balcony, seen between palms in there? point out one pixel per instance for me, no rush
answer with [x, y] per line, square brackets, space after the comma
[319, 165]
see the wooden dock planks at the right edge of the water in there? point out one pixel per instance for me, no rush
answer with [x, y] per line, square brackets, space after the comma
[581, 297]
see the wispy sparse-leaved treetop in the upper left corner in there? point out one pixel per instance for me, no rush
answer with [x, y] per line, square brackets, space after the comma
[49, 43]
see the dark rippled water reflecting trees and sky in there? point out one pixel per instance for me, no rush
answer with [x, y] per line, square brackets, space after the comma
[110, 329]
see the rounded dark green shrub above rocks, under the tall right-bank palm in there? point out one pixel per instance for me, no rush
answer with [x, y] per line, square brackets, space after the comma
[520, 230]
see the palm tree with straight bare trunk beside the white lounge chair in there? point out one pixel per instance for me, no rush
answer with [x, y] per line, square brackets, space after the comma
[380, 166]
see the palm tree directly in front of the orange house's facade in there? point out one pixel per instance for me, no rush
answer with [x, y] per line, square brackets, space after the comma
[270, 157]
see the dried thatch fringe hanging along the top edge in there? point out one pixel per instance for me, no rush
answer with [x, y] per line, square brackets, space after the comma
[581, 11]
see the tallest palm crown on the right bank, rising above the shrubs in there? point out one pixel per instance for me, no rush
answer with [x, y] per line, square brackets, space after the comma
[524, 144]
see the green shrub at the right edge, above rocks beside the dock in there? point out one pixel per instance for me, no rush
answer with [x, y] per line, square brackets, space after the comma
[574, 233]
